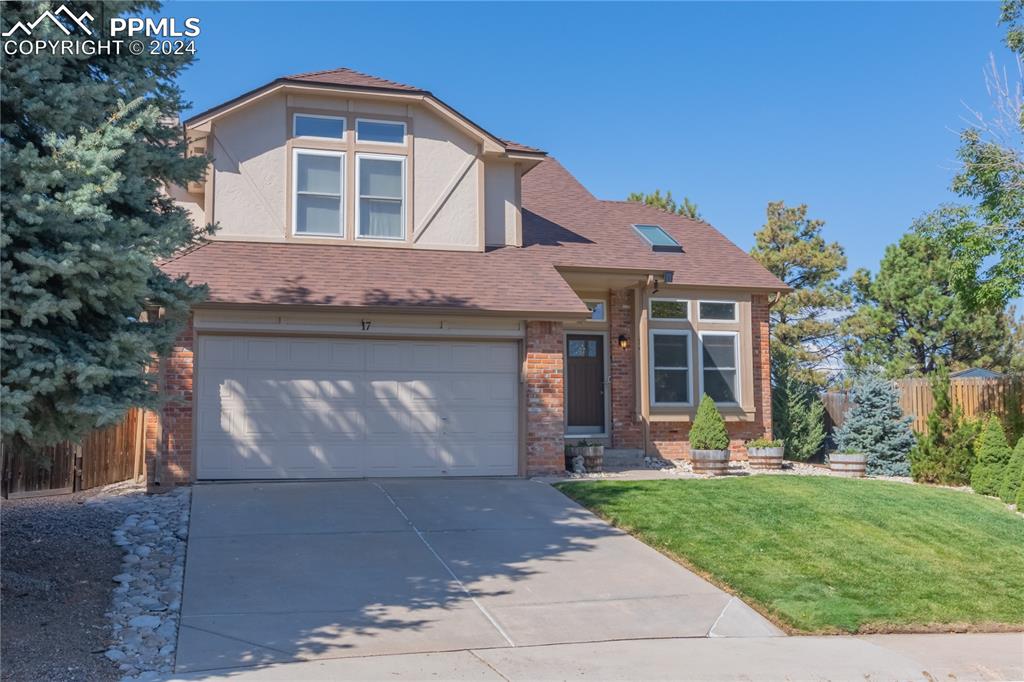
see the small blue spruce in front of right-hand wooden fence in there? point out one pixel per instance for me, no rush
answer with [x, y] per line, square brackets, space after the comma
[876, 425]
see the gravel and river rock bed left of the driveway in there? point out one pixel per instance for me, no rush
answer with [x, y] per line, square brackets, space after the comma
[92, 584]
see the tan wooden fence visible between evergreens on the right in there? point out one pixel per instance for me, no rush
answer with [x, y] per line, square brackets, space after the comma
[977, 398]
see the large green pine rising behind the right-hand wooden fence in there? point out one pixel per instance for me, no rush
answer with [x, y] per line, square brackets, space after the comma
[910, 321]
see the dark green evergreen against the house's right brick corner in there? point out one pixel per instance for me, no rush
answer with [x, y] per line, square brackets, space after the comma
[798, 414]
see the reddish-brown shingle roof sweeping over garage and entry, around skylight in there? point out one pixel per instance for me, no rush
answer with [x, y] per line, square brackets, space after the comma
[564, 226]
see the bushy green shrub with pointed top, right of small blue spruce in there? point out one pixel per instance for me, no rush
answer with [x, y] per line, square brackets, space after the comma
[946, 454]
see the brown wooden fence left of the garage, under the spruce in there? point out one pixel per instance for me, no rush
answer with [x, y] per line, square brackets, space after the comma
[105, 456]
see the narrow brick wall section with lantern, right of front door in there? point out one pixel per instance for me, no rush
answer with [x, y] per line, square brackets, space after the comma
[626, 429]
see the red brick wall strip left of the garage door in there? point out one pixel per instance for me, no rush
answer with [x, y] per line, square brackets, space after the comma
[178, 419]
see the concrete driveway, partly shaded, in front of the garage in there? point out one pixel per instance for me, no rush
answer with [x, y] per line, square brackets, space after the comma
[283, 572]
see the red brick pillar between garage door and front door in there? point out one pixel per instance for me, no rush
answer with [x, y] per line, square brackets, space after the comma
[545, 398]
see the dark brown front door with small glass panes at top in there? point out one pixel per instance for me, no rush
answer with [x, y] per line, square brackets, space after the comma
[585, 370]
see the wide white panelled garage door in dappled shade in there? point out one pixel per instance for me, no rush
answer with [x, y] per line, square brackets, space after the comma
[315, 408]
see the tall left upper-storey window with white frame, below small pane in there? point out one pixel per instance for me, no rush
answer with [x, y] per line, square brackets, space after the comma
[319, 201]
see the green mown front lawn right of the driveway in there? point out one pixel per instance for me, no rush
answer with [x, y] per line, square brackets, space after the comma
[823, 555]
